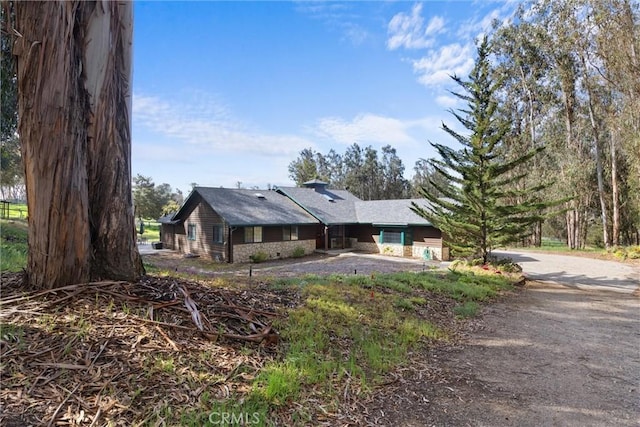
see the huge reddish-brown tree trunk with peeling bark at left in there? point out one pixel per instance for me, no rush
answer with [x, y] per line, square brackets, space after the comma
[74, 107]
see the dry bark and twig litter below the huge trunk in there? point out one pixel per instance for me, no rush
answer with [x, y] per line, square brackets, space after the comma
[117, 353]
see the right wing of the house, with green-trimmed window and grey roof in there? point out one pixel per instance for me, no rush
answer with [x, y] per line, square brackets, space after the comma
[383, 226]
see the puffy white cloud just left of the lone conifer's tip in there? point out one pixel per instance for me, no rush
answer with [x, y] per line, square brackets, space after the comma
[437, 67]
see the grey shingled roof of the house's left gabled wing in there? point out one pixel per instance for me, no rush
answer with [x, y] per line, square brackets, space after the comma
[241, 207]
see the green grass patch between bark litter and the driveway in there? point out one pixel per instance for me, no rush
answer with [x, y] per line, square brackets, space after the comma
[356, 329]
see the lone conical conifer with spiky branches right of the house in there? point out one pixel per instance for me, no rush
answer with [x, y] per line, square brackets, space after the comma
[474, 209]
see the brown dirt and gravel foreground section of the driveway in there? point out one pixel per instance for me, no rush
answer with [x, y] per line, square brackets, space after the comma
[551, 355]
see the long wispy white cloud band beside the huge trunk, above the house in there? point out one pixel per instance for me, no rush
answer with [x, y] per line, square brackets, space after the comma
[209, 125]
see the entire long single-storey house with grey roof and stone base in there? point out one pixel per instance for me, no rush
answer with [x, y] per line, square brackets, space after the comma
[232, 225]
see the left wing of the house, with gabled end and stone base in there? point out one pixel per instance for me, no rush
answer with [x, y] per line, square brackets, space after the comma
[232, 225]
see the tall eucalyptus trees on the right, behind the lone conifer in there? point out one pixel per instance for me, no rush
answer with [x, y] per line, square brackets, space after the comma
[571, 76]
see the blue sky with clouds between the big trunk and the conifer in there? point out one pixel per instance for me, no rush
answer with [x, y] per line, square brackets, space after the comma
[227, 92]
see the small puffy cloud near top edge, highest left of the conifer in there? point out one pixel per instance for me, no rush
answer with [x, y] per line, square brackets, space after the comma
[409, 32]
